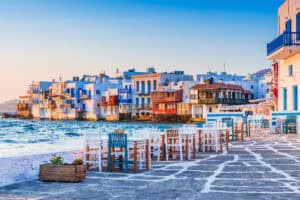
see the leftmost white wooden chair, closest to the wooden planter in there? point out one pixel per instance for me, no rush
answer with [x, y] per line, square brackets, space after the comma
[92, 154]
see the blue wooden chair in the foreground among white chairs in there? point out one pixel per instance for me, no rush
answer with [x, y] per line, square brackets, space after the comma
[117, 141]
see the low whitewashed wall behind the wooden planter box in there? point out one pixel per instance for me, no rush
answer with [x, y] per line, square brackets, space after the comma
[26, 167]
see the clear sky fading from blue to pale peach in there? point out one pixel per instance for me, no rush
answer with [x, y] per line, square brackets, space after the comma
[48, 39]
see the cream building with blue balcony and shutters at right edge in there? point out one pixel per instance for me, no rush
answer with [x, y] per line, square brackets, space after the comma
[284, 51]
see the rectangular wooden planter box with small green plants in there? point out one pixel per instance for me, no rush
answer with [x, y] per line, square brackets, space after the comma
[58, 171]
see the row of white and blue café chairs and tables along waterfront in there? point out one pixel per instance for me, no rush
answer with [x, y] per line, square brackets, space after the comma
[135, 151]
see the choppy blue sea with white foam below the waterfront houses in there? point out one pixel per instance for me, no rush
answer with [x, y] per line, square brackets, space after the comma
[26, 137]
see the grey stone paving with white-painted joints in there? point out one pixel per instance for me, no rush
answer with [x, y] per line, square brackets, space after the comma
[262, 167]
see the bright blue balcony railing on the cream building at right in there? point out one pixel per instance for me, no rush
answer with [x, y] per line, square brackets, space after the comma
[285, 39]
